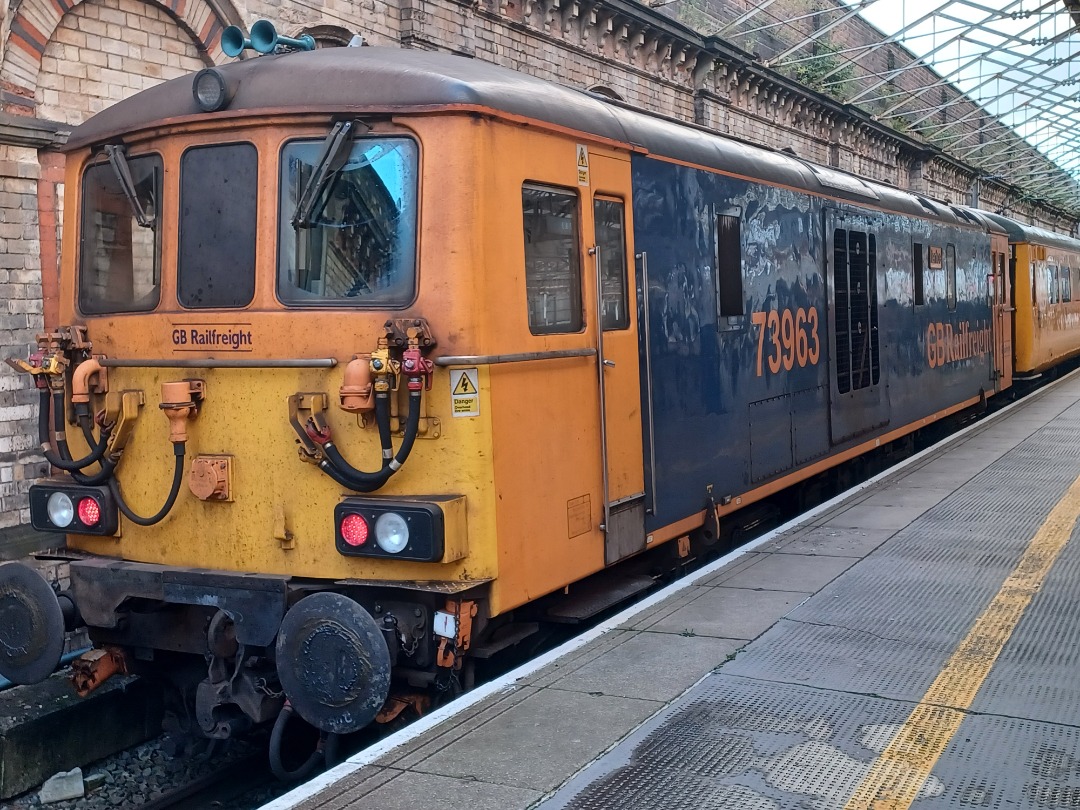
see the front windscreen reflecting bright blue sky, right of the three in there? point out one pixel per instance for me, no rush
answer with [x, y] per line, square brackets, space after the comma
[347, 238]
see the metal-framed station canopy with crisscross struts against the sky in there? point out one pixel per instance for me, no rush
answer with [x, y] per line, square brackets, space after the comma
[994, 85]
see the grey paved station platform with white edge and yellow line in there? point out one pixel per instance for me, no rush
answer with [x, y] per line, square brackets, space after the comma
[911, 645]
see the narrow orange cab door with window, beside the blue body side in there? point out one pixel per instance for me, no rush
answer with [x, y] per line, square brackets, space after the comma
[609, 223]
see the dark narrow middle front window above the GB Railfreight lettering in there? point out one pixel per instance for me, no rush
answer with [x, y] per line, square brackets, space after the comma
[215, 266]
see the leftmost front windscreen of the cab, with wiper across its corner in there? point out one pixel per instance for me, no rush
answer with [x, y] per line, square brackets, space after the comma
[120, 244]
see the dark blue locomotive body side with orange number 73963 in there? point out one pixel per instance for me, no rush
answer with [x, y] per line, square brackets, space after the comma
[739, 401]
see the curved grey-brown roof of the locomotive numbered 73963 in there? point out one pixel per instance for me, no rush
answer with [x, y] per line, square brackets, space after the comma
[359, 80]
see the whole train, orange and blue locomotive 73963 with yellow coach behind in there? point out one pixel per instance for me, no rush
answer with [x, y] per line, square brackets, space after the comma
[363, 352]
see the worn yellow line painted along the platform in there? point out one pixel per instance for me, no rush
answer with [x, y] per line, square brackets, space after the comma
[898, 775]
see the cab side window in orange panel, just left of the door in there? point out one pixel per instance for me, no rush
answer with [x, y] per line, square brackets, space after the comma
[552, 261]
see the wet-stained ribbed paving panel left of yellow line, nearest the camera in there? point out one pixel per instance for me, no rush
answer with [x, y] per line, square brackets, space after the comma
[737, 744]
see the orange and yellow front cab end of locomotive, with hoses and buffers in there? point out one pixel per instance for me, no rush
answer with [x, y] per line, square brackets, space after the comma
[303, 352]
